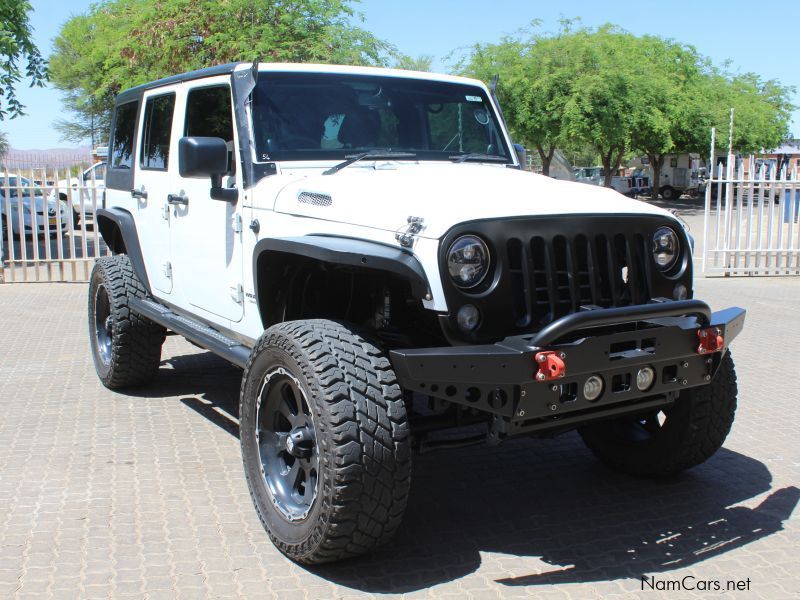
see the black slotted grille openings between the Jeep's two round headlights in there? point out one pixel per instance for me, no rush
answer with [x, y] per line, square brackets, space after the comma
[553, 277]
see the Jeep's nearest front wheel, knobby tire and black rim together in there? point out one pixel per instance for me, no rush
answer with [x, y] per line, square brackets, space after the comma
[325, 441]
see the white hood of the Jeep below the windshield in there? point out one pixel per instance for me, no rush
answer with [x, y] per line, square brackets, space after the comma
[444, 195]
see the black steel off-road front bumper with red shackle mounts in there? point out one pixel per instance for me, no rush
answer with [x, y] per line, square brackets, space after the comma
[640, 357]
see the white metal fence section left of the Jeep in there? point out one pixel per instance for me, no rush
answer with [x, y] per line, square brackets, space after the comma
[48, 224]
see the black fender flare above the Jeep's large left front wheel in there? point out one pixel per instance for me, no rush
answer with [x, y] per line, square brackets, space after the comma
[348, 251]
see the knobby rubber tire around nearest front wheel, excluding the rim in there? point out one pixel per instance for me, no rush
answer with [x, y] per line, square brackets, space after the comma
[369, 430]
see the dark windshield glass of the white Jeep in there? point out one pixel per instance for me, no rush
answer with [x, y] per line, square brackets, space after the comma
[317, 116]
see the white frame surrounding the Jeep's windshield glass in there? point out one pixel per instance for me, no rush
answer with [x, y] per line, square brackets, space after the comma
[508, 157]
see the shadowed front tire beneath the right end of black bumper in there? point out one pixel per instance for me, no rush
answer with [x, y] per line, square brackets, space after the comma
[694, 429]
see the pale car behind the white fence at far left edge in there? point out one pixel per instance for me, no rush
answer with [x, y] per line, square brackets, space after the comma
[22, 200]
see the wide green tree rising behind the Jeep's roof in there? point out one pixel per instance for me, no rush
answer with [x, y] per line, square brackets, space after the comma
[118, 44]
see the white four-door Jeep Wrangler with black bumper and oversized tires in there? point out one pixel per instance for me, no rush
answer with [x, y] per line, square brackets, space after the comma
[364, 243]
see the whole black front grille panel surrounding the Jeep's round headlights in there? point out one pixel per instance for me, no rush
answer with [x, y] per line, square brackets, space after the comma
[547, 267]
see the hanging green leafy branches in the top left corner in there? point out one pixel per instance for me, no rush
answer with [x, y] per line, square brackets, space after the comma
[16, 44]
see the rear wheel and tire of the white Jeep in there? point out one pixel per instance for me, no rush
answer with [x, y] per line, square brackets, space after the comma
[135, 349]
